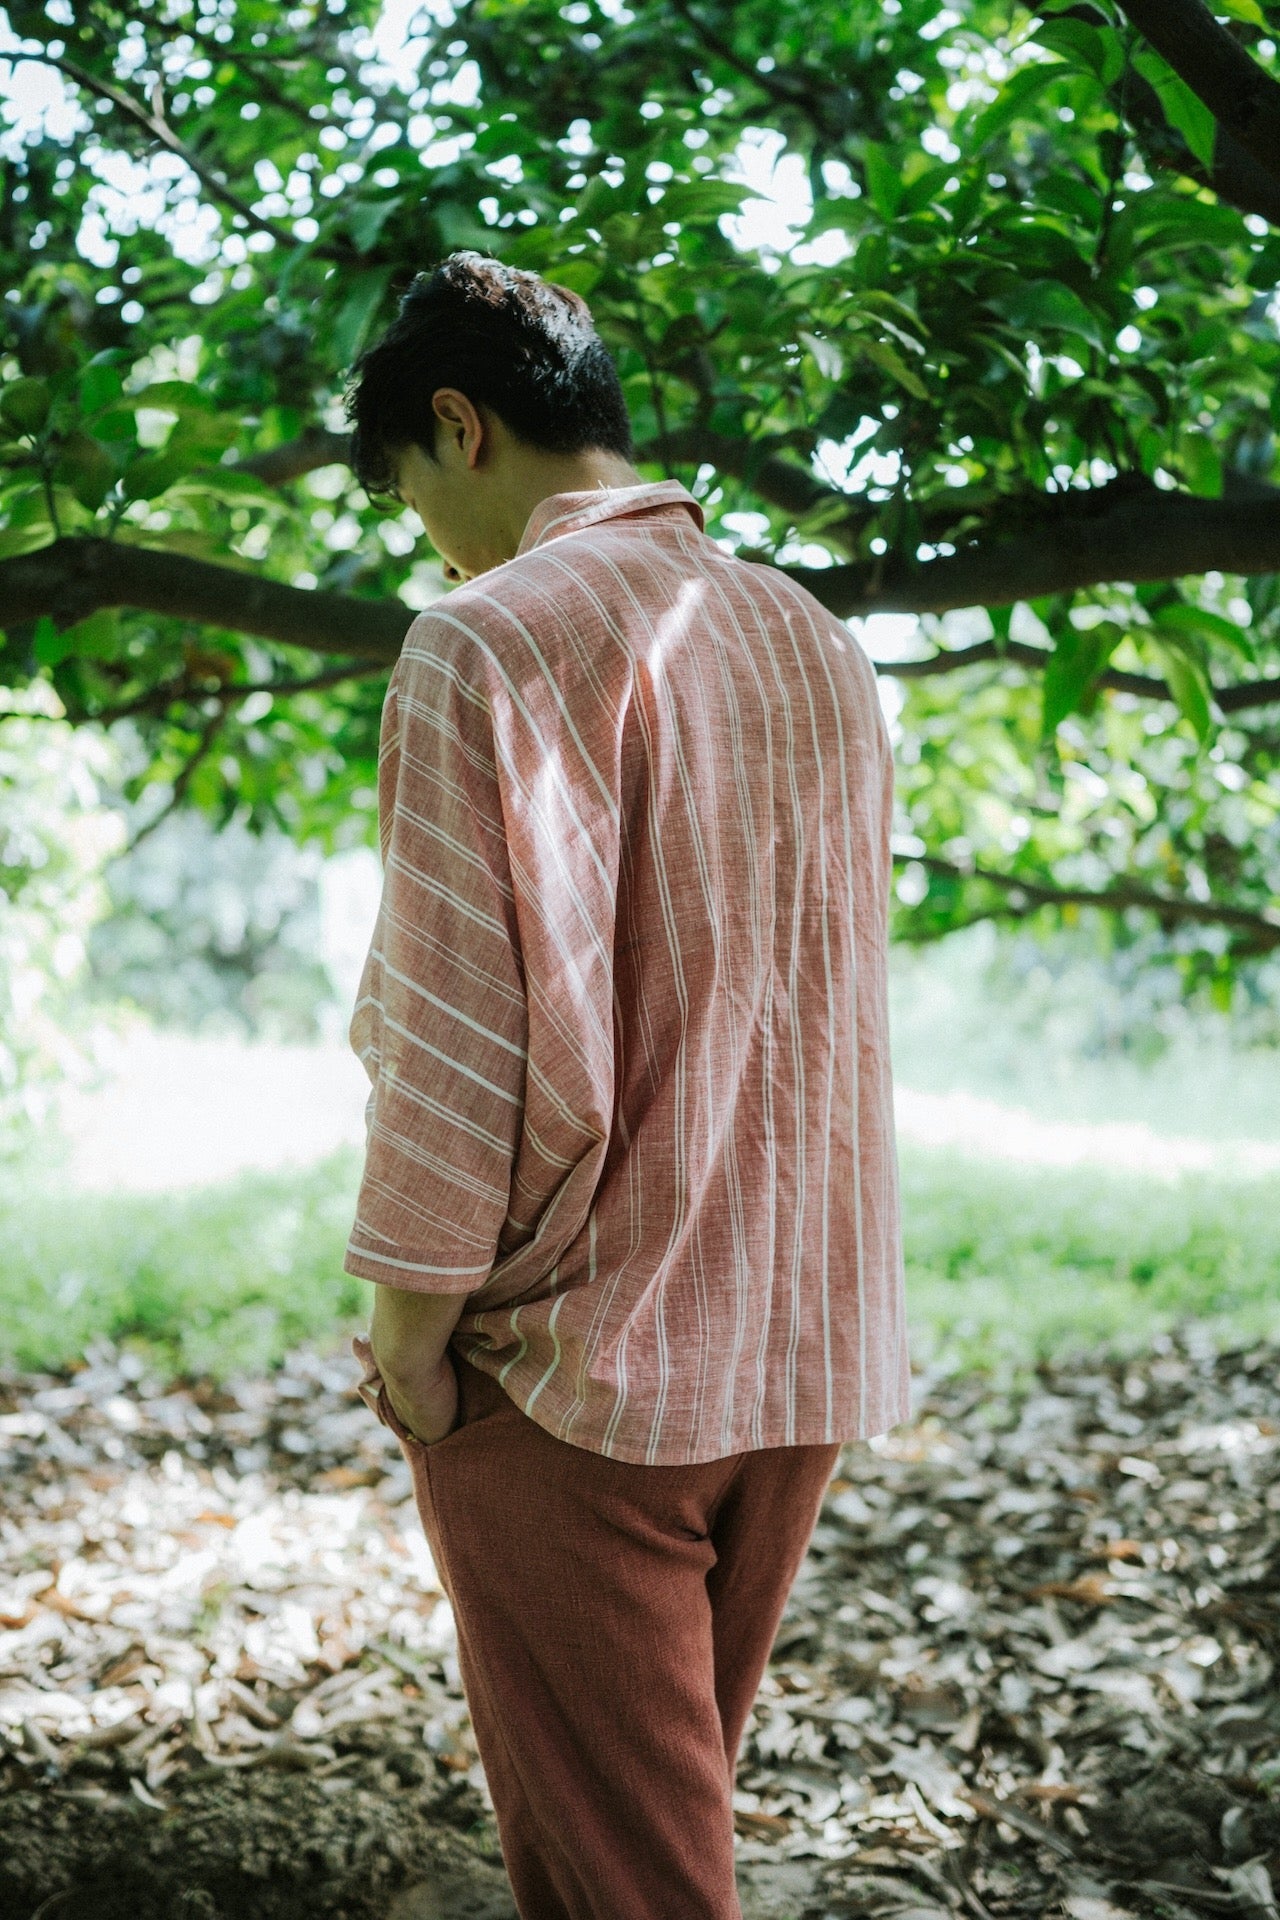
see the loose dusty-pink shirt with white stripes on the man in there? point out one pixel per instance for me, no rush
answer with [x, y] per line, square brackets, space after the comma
[625, 1011]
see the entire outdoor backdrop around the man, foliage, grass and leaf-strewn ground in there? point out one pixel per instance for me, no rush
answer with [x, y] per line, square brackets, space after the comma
[968, 316]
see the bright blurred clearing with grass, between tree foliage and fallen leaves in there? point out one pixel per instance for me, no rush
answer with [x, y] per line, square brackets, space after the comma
[1085, 1155]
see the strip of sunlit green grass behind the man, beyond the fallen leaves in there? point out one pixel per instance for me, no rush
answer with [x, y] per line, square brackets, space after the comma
[1007, 1264]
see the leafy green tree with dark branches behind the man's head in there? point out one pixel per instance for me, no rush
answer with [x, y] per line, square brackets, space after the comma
[1010, 370]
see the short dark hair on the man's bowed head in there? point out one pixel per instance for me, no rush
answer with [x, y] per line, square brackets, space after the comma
[510, 341]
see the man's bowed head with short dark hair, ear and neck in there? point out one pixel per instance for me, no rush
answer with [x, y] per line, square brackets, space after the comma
[486, 395]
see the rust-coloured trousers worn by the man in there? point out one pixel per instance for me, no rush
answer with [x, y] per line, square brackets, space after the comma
[613, 1623]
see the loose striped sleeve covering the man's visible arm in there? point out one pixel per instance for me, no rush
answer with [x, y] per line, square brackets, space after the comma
[440, 1020]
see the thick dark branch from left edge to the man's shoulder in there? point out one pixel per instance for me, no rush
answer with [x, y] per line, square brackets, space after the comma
[74, 579]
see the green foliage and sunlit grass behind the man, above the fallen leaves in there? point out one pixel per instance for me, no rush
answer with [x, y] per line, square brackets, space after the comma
[884, 283]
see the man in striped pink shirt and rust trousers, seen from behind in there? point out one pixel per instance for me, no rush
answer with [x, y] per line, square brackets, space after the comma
[630, 1195]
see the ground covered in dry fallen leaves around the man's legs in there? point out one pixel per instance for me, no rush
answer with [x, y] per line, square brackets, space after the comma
[1028, 1668]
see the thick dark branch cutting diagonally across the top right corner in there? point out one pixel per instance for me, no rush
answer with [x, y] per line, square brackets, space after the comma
[1241, 95]
